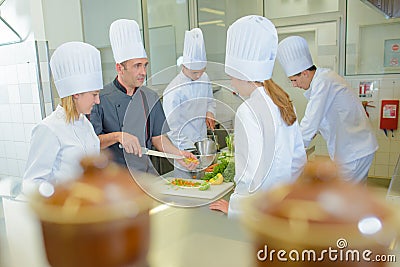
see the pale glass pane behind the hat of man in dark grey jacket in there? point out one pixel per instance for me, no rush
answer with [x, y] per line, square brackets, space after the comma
[97, 17]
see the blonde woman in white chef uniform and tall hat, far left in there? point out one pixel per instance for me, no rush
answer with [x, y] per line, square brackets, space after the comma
[60, 140]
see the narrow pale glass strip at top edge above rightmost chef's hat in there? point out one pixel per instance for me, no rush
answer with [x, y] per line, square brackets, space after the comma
[290, 8]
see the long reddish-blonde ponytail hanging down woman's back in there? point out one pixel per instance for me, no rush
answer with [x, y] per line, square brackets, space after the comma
[282, 100]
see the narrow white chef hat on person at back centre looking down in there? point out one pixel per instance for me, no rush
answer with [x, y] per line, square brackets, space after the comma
[194, 51]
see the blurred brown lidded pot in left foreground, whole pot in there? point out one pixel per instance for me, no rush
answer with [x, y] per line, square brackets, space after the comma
[98, 220]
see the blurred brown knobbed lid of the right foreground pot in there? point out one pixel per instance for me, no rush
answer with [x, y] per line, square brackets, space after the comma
[319, 207]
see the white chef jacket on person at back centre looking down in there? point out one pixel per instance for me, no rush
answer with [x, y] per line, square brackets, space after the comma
[185, 104]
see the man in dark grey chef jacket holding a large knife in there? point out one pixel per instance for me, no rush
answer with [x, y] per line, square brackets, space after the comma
[130, 115]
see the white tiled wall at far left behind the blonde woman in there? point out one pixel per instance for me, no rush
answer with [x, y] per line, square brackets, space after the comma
[19, 105]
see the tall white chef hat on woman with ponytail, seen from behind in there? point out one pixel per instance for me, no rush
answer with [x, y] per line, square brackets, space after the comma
[251, 47]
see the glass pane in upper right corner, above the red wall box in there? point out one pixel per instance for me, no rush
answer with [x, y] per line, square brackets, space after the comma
[372, 41]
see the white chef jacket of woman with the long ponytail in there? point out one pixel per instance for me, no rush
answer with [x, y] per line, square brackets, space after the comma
[268, 152]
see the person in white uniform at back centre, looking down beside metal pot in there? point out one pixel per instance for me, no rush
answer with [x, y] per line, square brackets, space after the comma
[188, 99]
